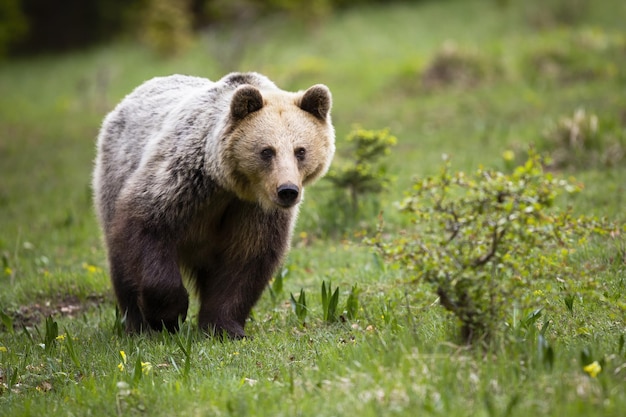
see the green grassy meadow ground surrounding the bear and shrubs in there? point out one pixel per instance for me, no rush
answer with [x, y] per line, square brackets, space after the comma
[398, 356]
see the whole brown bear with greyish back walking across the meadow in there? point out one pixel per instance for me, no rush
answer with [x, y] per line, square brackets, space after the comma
[199, 182]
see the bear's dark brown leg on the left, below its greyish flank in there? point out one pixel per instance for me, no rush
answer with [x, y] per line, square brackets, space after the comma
[146, 277]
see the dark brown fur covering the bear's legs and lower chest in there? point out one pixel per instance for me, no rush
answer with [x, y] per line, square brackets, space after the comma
[229, 274]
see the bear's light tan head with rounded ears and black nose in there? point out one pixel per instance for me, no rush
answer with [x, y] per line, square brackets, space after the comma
[278, 143]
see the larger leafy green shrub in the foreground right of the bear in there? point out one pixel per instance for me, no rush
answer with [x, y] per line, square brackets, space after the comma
[489, 243]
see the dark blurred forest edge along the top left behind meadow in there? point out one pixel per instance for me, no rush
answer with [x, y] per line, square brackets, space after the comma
[32, 26]
